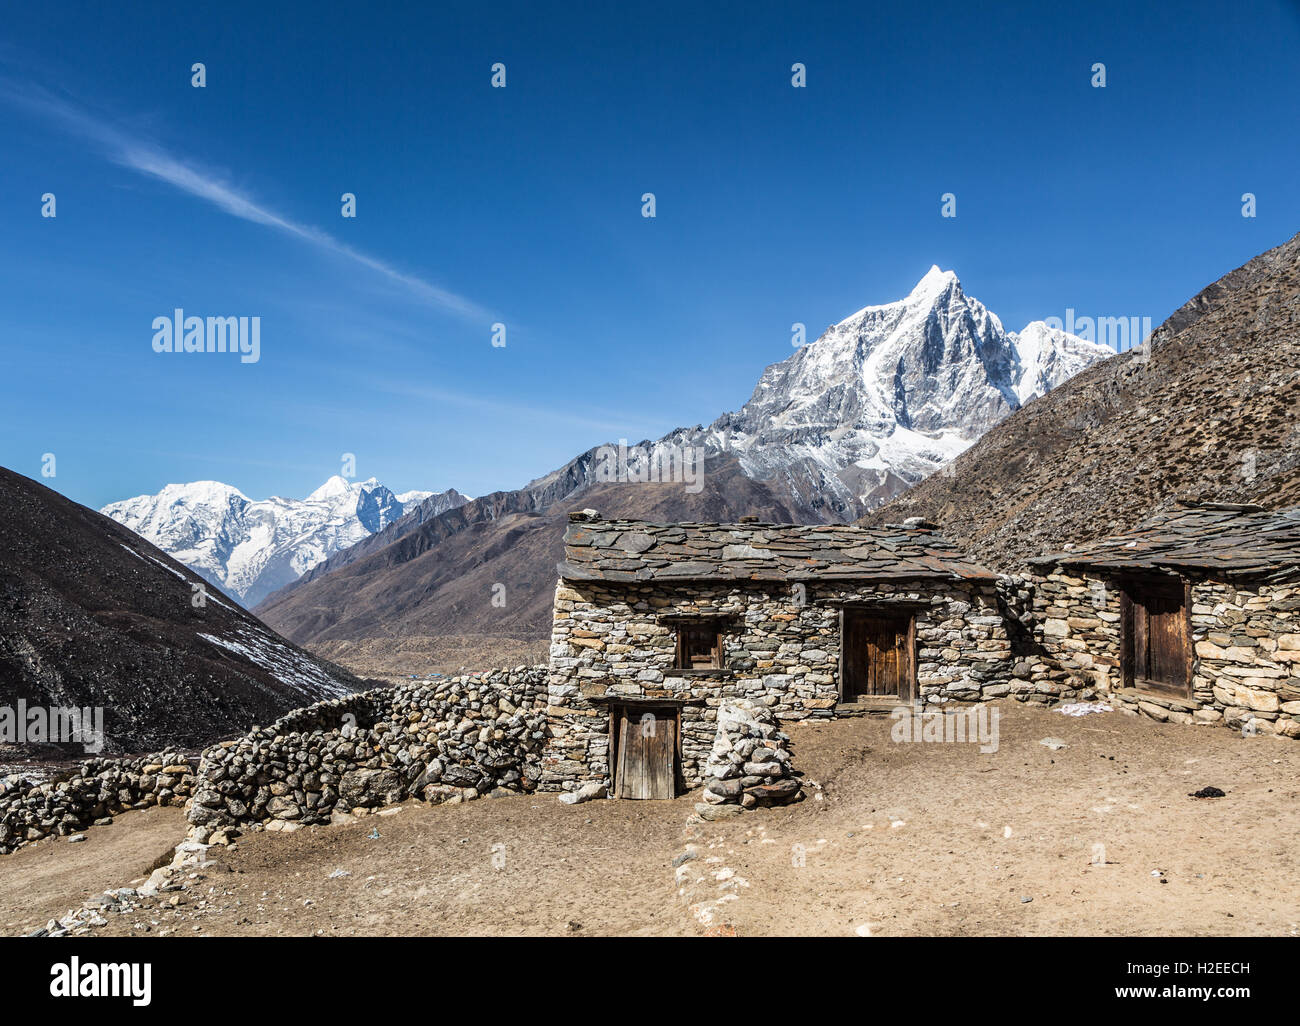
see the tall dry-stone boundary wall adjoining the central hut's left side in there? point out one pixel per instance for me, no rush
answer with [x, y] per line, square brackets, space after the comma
[447, 742]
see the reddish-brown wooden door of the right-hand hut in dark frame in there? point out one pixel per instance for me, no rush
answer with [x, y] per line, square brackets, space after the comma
[1156, 637]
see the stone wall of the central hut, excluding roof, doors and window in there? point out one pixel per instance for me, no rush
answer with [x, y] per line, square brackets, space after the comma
[782, 651]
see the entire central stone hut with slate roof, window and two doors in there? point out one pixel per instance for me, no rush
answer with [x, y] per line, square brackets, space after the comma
[658, 625]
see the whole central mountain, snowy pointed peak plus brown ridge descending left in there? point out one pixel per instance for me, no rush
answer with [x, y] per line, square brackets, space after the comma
[877, 402]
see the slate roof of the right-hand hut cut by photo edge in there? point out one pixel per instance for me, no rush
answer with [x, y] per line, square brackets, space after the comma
[1227, 539]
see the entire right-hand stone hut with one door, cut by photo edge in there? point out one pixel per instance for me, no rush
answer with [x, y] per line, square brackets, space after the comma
[1194, 617]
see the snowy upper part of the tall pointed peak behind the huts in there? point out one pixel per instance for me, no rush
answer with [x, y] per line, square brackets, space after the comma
[890, 395]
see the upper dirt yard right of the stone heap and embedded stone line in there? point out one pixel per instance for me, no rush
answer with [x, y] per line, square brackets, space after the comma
[1097, 839]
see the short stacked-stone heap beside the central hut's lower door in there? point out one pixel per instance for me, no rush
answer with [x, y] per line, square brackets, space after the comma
[749, 765]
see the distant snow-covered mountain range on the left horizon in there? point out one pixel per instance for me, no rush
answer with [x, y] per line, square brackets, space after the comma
[252, 548]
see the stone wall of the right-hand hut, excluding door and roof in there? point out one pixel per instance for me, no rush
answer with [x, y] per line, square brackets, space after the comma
[1246, 668]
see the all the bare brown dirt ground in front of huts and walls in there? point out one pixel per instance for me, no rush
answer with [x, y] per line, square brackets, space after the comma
[1099, 838]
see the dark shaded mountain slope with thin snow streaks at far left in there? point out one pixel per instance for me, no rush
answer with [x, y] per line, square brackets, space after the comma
[94, 616]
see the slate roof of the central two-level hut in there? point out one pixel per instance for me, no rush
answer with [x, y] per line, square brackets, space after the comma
[635, 551]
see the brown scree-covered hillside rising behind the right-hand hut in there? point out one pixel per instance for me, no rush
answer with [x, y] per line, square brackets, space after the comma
[1207, 412]
